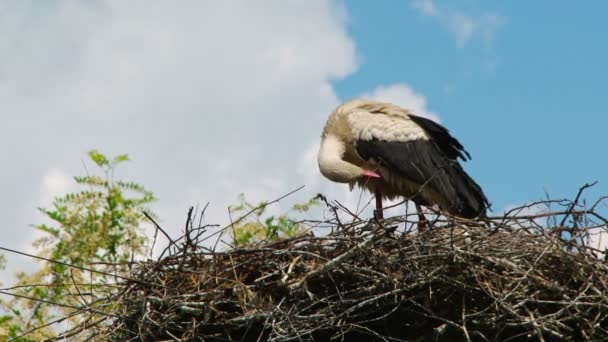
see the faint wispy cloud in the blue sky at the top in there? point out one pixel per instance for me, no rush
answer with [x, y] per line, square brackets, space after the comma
[462, 25]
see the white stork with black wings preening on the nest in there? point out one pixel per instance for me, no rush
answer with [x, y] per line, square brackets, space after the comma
[383, 148]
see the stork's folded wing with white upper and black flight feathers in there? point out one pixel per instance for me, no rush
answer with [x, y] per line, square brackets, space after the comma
[408, 149]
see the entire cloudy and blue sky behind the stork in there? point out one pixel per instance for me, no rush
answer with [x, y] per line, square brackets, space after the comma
[216, 98]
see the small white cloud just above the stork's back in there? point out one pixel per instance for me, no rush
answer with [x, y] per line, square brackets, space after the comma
[403, 95]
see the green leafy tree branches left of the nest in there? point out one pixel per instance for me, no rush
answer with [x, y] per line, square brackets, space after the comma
[98, 228]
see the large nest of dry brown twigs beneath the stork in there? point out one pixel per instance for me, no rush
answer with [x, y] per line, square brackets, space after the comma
[507, 278]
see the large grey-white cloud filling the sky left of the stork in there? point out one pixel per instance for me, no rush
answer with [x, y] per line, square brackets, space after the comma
[210, 99]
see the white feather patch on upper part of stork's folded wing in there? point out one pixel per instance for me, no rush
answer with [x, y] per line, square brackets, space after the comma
[369, 126]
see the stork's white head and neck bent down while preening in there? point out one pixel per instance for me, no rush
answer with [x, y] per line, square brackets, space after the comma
[331, 163]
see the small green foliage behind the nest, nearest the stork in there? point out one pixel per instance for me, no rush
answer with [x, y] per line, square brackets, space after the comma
[257, 227]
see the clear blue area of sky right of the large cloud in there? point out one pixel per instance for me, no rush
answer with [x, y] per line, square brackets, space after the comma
[527, 102]
